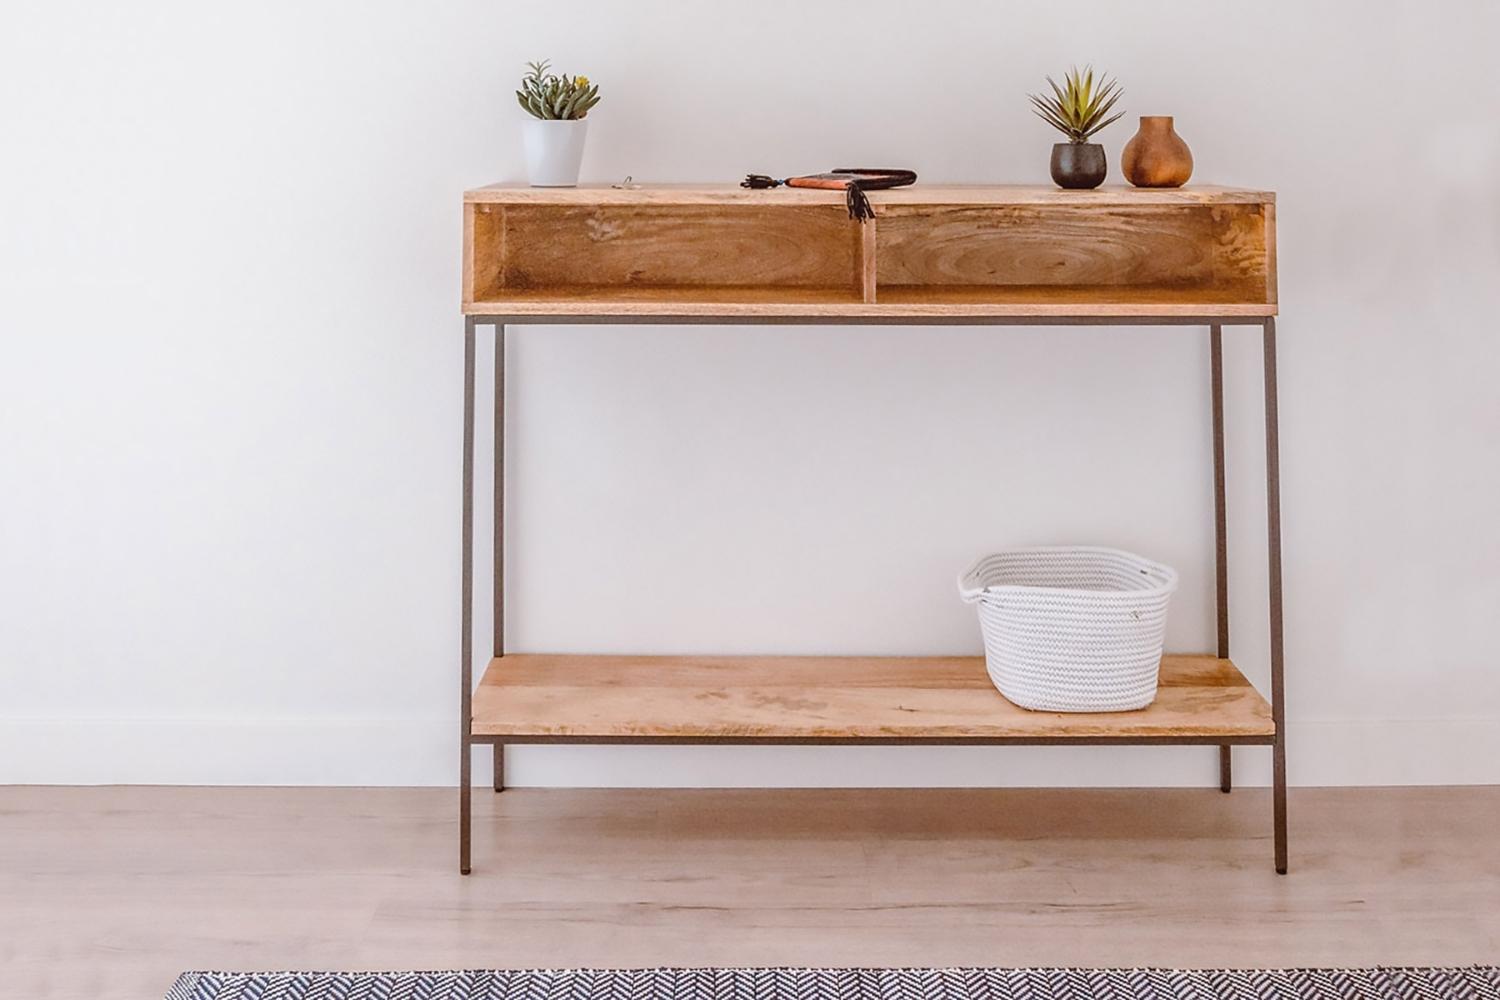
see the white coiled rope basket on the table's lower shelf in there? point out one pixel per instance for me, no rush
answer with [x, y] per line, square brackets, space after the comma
[1072, 629]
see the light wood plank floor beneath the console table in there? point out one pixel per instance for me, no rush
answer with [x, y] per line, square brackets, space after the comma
[109, 893]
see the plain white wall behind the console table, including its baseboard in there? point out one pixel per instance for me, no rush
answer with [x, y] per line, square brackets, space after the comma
[232, 370]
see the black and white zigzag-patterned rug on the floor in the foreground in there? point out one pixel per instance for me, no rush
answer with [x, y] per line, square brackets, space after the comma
[851, 984]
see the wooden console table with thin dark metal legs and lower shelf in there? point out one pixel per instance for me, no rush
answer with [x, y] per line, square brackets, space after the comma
[1198, 257]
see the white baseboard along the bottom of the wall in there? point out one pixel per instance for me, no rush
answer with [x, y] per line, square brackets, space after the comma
[424, 753]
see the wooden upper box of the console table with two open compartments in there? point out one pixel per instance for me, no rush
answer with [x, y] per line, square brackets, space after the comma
[931, 253]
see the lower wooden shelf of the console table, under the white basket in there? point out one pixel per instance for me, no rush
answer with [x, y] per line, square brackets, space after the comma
[550, 698]
